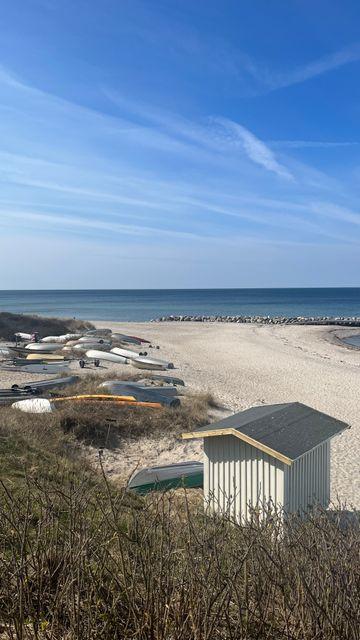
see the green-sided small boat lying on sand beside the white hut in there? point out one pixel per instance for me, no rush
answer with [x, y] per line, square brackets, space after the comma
[172, 476]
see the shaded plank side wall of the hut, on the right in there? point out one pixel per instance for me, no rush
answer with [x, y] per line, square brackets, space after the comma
[307, 480]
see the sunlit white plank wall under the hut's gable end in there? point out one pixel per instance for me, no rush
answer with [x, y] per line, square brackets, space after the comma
[238, 477]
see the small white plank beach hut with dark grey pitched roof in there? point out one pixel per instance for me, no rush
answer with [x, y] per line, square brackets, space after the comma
[277, 455]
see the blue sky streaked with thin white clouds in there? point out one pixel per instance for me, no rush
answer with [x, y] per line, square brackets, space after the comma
[179, 144]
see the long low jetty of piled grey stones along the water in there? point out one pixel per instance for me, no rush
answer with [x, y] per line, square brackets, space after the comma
[299, 320]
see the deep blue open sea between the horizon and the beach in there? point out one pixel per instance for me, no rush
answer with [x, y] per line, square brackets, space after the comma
[143, 305]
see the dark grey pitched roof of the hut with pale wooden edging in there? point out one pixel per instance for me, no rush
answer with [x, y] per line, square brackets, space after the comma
[285, 431]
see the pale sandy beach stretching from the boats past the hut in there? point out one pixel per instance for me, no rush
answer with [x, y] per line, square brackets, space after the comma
[246, 365]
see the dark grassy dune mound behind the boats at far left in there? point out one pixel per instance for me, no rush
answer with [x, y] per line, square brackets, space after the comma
[10, 323]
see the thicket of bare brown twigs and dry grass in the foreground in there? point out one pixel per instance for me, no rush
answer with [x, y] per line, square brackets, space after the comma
[79, 560]
